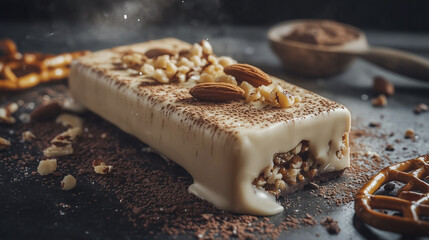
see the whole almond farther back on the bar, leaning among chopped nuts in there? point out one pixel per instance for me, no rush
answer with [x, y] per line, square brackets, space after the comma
[251, 74]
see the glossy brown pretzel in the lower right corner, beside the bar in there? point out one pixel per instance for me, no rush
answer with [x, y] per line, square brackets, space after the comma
[412, 200]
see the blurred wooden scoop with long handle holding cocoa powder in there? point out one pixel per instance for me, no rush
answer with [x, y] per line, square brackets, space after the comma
[319, 60]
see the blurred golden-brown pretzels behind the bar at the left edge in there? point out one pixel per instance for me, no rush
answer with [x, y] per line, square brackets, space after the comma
[21, 71]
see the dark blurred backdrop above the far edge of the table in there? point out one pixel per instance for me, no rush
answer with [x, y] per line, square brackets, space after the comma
[400, 15]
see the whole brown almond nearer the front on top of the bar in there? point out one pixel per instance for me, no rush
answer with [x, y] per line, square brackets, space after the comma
[217, 92]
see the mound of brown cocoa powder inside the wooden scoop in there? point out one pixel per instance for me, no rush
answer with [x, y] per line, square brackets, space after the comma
[325, 33]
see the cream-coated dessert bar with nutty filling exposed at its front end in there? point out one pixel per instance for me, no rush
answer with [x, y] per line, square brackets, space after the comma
[241, 154]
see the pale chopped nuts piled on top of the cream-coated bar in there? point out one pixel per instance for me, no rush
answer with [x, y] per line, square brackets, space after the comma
[200, 64]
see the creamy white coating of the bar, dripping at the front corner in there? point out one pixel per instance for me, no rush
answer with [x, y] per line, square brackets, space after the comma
[224, 146]
